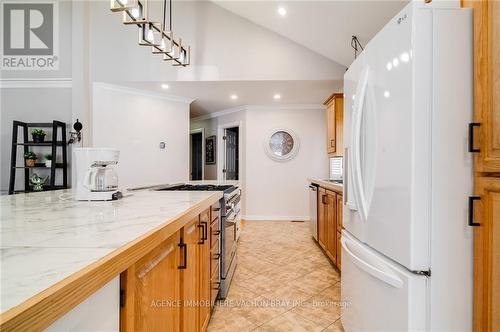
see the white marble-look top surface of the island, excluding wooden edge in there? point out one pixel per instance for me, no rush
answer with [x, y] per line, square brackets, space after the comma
[46, 237]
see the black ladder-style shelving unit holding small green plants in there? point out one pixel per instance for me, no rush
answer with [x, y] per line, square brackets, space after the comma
[55, 144]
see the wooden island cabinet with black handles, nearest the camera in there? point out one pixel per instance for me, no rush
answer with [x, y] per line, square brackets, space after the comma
[170, 289]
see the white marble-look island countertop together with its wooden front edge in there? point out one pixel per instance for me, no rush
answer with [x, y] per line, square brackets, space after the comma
[56, 252]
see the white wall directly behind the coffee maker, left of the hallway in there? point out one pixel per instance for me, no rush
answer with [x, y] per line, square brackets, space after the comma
[136, 122]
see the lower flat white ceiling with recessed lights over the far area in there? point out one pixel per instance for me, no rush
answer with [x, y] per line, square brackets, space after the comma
[214, 96]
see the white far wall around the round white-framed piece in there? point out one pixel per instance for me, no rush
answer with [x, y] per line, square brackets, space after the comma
[276, 190]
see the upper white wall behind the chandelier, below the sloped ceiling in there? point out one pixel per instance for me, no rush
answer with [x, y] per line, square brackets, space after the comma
[224, 47]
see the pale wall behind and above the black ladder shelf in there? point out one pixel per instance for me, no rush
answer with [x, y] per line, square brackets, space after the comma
[36, 96]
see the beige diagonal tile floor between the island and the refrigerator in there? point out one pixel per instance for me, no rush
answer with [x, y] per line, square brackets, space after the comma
[283, 282]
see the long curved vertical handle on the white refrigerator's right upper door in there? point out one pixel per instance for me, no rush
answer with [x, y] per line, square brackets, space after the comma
[356, 138]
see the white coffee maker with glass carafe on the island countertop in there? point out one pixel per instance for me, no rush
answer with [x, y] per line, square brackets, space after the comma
[96, 177]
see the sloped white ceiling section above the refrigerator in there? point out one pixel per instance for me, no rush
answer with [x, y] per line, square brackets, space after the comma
[325, 27]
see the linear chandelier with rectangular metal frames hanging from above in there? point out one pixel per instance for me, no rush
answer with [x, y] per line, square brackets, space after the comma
[153, 34]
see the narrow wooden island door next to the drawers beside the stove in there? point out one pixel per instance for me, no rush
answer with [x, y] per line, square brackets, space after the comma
[205, 271]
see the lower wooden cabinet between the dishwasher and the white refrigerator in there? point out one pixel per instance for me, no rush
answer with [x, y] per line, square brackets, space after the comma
[330, 223]
